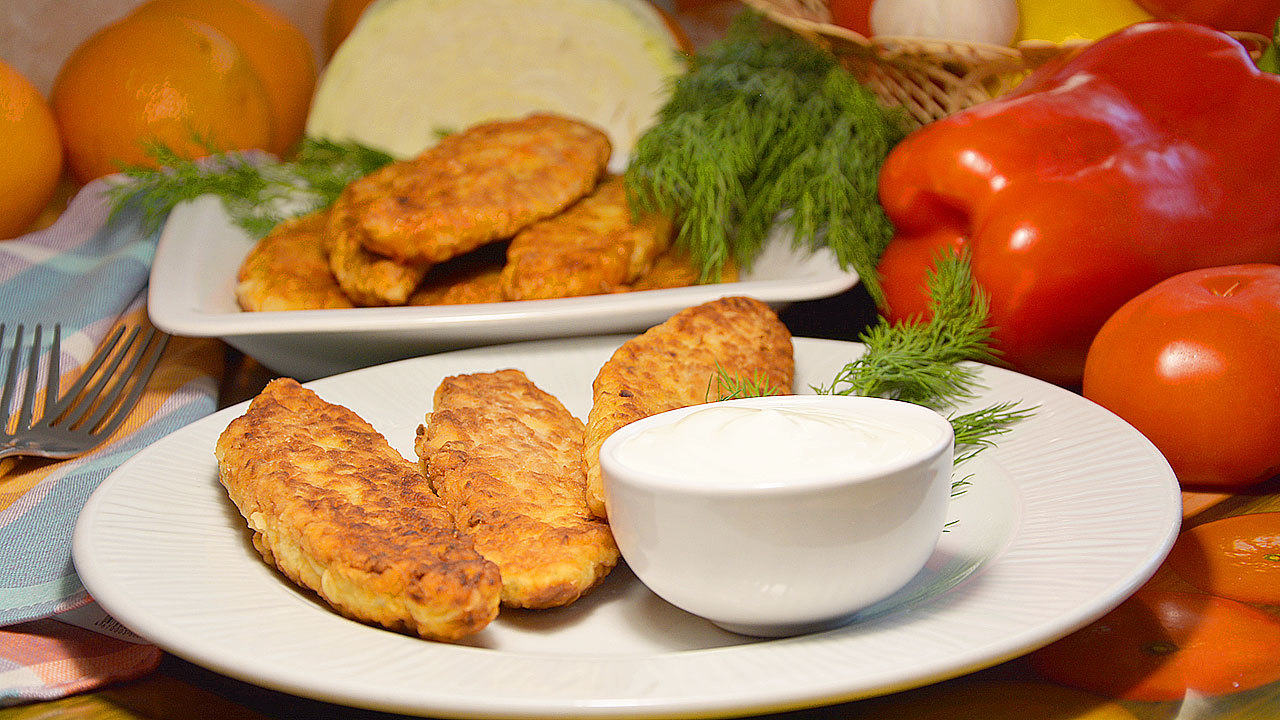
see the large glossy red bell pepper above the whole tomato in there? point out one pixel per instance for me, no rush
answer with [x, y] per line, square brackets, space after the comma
[1154, 152]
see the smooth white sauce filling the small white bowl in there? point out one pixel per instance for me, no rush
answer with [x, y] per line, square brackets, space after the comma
[737, 445]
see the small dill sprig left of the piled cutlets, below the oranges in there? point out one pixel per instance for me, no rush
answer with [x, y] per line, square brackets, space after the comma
[257, 190]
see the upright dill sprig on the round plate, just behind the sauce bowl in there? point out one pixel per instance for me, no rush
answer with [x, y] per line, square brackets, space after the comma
[921, 361]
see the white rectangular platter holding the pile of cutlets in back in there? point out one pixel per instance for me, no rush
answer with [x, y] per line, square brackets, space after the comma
[194, 279]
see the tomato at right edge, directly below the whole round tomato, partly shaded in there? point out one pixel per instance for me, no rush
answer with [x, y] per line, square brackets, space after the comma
[1236, 558]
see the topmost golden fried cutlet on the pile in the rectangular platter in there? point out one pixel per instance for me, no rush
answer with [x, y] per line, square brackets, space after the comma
[478, 186]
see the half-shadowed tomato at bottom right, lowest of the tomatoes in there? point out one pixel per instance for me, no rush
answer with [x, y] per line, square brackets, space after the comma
[1159, 645]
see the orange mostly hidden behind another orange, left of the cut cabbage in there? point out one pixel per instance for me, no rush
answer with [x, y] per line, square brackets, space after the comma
[277, 49]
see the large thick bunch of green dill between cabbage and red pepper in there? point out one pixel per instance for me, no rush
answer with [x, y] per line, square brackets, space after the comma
[764, 129]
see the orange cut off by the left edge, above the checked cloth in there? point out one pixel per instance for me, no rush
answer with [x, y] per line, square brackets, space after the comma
[31, 151]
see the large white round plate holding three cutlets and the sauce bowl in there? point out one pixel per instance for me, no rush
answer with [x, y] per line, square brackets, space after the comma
[1066, 518]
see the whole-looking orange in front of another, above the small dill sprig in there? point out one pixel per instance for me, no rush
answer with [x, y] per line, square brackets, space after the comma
[163, 79]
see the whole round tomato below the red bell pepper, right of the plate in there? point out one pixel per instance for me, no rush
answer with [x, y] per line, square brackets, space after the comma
[1192, 363]
